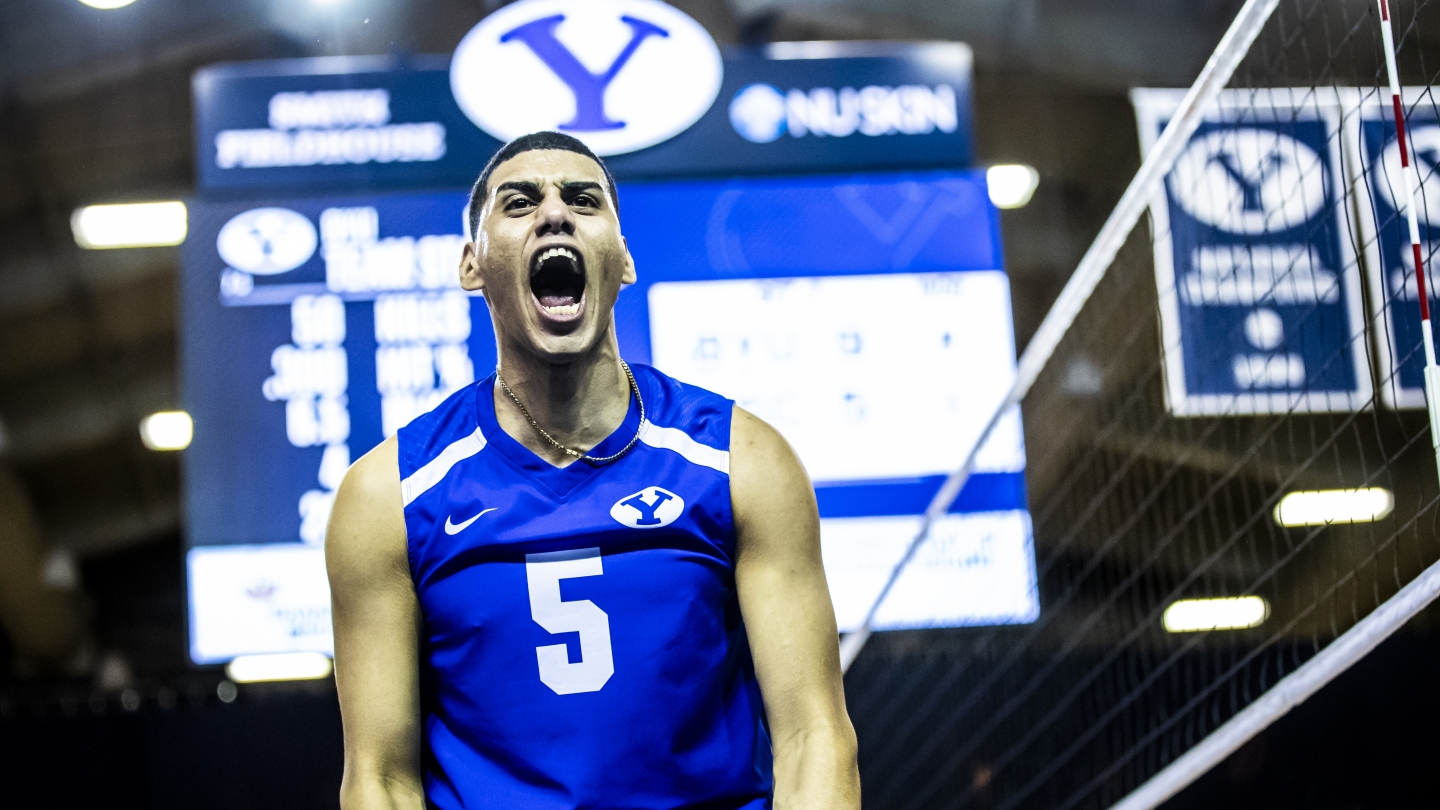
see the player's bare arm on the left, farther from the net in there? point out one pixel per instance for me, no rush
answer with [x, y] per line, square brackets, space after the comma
[377, 620]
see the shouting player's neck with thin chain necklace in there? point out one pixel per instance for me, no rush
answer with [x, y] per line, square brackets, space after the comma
[580, 403]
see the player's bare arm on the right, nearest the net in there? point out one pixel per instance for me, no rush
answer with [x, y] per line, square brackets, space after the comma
[790, 620]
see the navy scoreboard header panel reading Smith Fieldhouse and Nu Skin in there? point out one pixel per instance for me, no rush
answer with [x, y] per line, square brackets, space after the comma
[349, 123]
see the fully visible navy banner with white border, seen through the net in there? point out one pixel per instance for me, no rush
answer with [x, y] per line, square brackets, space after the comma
[1259, 288]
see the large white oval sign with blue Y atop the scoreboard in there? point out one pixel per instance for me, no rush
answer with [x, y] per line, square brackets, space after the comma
[617, 74]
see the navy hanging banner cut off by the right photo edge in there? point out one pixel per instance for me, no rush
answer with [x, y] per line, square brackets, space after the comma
[1386, 234]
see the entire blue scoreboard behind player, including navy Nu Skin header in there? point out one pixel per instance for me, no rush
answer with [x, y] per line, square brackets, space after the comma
[866, 315]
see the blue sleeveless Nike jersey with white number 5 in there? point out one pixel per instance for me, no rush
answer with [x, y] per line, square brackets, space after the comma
[582, 641]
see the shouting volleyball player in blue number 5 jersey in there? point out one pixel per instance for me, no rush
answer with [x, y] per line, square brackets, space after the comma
[581, 583]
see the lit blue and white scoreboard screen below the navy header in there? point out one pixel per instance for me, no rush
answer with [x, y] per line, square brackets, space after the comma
[866, 316]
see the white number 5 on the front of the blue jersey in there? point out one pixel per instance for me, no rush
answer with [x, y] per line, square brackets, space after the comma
[597, 665]
